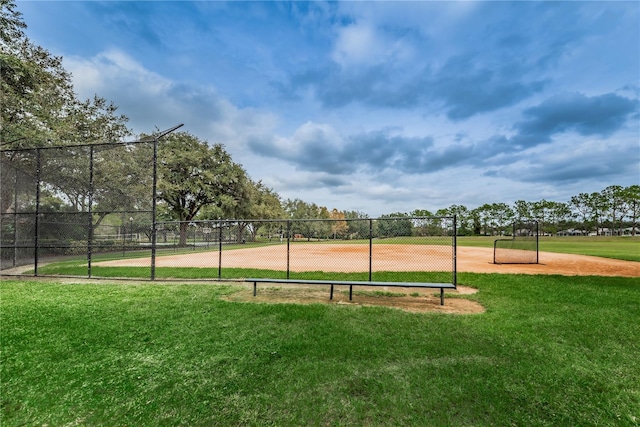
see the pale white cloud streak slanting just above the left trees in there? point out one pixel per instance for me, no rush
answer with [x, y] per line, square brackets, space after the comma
[151, 100]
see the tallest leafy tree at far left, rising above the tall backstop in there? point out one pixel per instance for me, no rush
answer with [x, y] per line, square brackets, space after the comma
[40, 109]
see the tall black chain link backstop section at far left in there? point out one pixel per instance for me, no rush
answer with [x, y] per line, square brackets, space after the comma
[61, 202]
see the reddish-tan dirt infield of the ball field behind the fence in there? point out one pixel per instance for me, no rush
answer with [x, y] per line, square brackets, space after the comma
[352, 258]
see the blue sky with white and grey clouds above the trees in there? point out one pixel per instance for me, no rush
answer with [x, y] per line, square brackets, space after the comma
[378, 106]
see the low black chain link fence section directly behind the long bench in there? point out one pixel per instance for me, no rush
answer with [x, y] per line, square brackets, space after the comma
[360, 249]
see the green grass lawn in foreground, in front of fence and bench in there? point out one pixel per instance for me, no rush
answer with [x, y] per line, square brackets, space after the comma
[550, 350]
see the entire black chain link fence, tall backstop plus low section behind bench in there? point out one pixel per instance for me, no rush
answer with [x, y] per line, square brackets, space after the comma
[90, 211]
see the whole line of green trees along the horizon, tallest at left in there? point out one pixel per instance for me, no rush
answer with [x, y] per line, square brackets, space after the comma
[198, 180]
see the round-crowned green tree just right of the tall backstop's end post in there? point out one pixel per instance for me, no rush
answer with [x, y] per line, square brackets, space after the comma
[192, 175]
